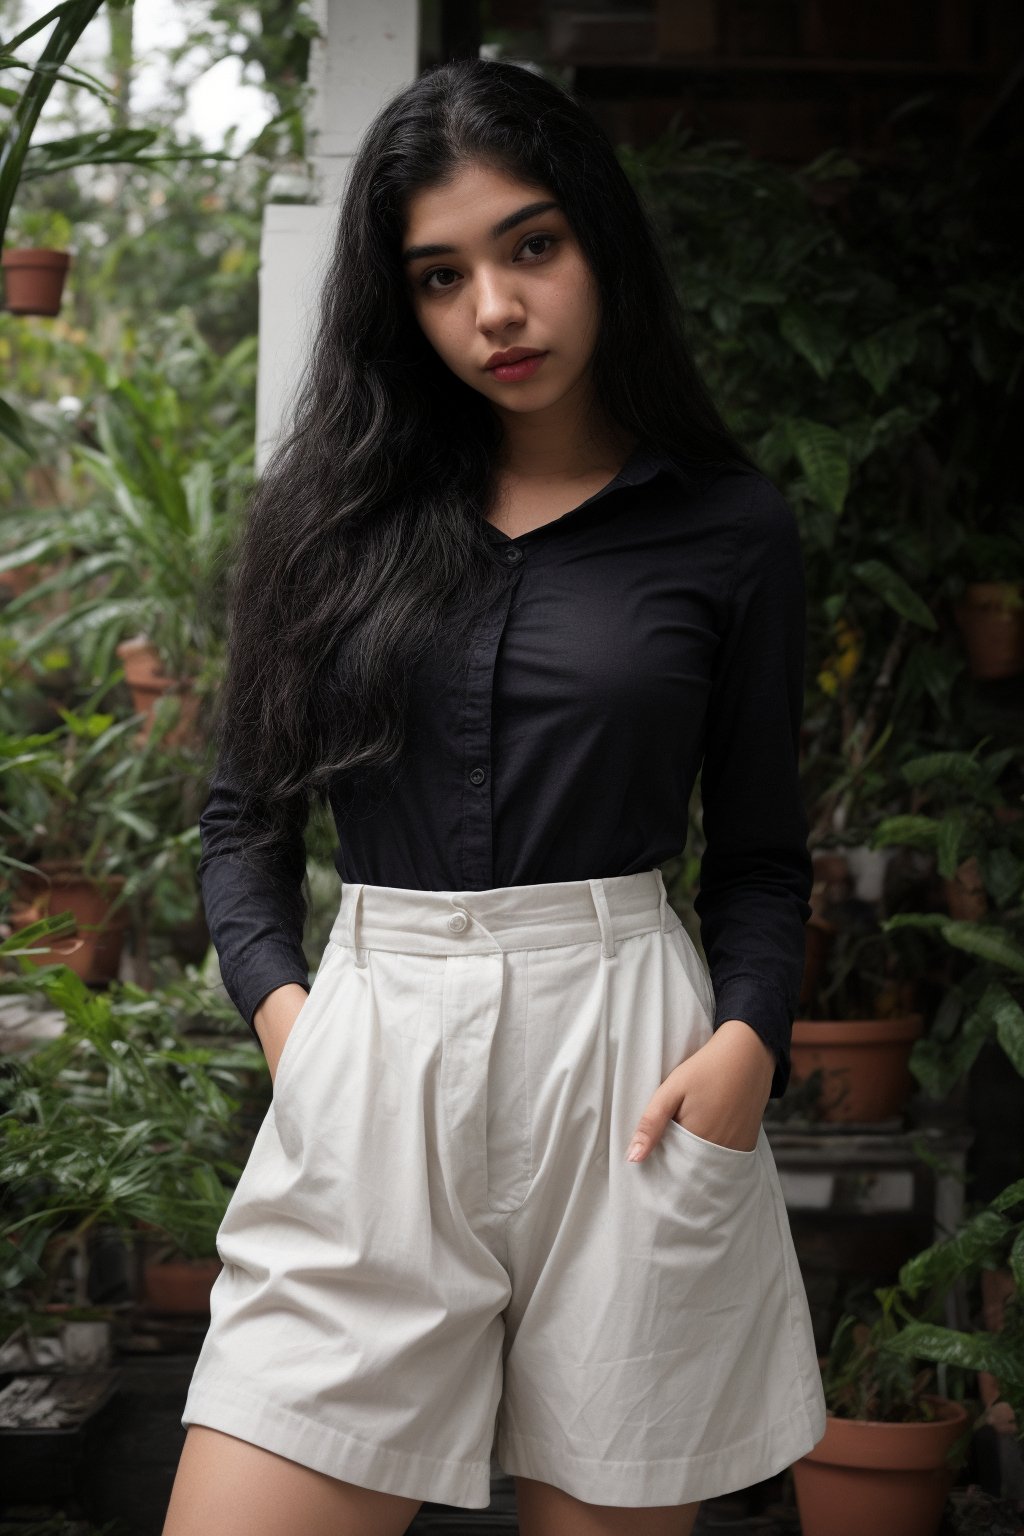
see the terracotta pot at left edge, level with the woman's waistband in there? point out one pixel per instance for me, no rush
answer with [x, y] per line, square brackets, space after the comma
[94, 950]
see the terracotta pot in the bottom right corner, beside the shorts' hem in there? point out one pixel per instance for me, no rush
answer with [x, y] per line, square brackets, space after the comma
[867, 1475]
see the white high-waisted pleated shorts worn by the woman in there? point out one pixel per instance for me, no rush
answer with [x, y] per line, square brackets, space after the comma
[437, 1253]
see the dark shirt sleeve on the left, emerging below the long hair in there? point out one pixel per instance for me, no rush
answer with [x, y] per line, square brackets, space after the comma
[254, 905]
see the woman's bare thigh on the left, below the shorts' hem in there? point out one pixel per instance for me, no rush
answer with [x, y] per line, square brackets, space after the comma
[236, 1489]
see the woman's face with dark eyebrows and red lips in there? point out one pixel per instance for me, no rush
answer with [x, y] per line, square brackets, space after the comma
[527, 286]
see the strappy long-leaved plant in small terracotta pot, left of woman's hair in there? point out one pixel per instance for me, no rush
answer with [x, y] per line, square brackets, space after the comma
[151, 535]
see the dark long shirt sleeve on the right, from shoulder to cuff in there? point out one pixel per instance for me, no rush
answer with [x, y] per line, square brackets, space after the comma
[756, 872]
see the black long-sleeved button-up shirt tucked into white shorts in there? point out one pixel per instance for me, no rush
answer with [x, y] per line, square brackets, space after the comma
[655, 631]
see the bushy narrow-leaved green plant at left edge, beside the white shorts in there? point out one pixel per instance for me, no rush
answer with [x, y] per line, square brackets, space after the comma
[117, 1122]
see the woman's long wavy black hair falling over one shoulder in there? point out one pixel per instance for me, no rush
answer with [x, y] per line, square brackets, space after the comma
[365, 541]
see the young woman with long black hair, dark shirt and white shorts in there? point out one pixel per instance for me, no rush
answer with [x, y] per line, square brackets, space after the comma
[506, 589]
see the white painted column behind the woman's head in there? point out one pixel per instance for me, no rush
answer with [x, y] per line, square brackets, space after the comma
[369, 51]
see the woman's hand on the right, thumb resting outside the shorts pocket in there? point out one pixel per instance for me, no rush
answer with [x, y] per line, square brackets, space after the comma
[719, 1093]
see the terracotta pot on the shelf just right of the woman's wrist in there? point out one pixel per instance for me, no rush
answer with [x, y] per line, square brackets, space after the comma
[864, 1062]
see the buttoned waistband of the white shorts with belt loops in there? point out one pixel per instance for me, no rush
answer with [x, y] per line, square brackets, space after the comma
[604, 910]
